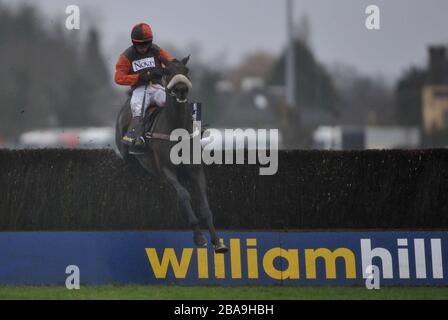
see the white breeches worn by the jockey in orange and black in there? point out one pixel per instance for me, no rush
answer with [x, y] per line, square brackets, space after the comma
[155, 95]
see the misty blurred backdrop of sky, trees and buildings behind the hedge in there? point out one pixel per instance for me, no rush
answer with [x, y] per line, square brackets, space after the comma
[348, 77]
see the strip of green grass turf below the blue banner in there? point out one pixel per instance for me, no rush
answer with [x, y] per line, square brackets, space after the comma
[137, 292]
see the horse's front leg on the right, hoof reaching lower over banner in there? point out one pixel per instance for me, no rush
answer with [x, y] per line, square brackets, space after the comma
[200, 185]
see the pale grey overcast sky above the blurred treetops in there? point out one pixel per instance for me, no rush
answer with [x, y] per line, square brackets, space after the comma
[228, 30]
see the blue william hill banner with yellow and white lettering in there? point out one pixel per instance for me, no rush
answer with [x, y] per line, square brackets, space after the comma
[257, 258]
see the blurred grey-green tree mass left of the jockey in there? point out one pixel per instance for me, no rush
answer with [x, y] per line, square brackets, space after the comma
[46, 80]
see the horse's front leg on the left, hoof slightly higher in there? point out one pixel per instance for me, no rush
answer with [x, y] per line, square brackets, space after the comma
[184, 199]
